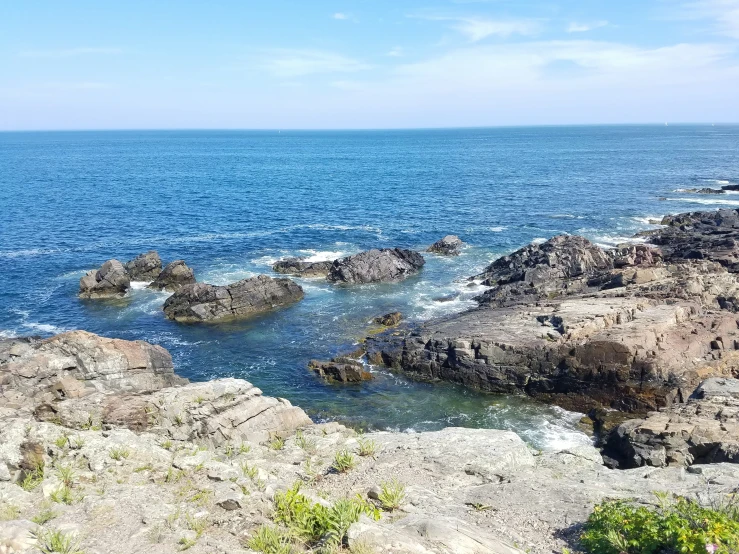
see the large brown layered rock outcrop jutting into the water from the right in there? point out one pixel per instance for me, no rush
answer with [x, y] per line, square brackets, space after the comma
[568, 322]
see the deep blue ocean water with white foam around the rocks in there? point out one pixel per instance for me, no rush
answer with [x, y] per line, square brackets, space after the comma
[231, 203]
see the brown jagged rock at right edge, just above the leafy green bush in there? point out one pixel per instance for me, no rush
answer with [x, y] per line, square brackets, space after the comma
[703, 430]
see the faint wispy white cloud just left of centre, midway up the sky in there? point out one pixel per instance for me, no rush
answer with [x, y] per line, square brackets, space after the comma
[299, 63]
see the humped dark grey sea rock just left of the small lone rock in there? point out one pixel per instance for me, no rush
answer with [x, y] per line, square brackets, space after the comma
[376, 266]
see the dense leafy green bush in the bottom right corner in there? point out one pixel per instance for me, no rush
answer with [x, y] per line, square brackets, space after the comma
[679, 525]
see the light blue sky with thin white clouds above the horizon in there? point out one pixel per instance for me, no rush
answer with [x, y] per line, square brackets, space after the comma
[315, 64]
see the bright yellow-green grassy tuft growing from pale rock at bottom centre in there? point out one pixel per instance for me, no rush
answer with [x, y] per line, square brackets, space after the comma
[315, 522]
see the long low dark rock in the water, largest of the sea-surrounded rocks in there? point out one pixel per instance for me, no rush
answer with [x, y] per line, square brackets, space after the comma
[204, 302]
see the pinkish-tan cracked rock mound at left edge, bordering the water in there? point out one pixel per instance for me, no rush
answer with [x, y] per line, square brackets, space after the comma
[78, 363]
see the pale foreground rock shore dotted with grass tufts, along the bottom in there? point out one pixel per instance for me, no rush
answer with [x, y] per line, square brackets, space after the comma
[102, 444]
